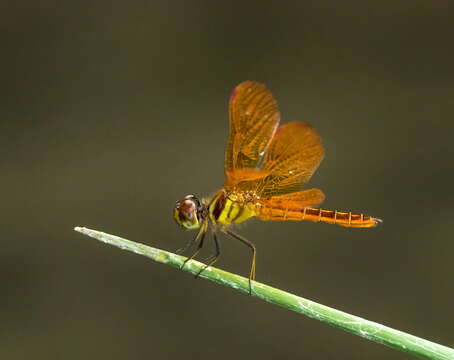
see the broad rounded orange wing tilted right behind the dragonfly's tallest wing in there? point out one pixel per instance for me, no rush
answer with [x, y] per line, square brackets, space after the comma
[292, 157]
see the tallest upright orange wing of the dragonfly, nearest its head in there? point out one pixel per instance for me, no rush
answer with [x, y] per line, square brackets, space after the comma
[254, 117]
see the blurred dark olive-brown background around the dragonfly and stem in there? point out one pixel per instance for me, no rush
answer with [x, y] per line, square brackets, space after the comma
[112, 111]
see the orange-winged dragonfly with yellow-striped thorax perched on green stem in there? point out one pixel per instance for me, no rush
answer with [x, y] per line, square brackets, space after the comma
[266, 166]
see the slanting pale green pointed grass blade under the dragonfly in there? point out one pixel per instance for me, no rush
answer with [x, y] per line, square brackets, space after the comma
[367, 329]
